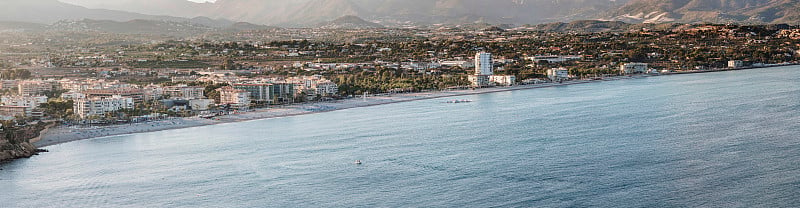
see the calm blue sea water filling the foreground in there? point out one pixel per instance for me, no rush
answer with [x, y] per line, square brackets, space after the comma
[728, 139]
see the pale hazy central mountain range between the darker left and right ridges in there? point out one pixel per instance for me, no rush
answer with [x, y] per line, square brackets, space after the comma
[387, 12]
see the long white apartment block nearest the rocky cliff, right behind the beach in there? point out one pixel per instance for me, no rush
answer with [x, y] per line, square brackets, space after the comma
[100, 106]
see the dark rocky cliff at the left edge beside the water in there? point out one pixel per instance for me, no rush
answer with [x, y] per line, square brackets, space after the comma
[16, 142]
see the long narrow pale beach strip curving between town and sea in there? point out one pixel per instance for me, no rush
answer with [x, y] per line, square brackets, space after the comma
[62, 134]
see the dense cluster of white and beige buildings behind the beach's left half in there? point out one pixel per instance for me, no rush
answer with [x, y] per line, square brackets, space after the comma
[94, 98]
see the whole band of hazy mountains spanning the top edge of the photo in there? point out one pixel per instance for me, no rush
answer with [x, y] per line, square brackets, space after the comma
[310, 13]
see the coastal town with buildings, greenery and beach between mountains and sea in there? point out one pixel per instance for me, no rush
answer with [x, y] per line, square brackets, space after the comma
[118, 84]
